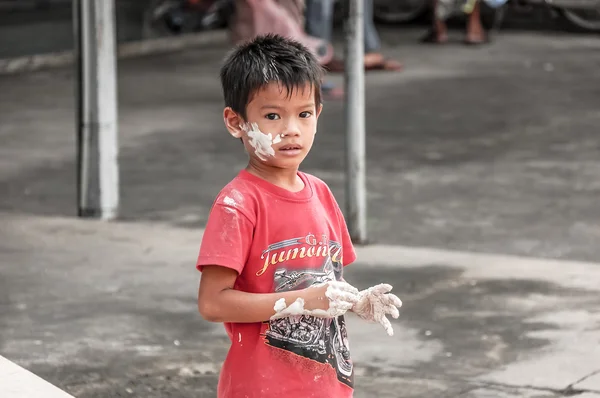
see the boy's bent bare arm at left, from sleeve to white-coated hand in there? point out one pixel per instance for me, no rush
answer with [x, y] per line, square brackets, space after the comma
[218, 301]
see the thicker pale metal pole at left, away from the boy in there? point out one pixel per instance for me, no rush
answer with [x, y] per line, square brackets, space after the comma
[95, 47]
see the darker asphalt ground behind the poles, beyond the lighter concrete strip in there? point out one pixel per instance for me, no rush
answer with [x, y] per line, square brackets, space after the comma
[492, 149]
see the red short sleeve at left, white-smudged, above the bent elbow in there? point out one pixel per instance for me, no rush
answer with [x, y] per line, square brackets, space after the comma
[227, 239]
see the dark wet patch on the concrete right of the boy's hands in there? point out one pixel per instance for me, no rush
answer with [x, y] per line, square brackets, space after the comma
[482, 324]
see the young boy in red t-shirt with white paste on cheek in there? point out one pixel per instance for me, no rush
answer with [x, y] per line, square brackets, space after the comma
[276, 241]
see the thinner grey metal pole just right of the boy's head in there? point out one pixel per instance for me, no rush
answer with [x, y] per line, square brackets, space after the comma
[356, 202]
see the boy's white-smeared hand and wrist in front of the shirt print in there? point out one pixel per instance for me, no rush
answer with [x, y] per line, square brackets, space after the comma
[327, 300]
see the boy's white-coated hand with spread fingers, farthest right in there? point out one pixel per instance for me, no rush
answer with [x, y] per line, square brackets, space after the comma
[375, 303]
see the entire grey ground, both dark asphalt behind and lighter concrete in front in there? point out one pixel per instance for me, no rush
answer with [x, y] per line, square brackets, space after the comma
[489, 150]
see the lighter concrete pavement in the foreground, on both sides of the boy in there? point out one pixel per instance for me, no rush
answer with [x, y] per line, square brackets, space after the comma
[108, 310]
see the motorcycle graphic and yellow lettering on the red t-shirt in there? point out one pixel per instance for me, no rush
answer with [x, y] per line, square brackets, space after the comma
[318, 339]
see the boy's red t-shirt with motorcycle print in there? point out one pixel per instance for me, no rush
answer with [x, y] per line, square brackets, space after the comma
[278, 240]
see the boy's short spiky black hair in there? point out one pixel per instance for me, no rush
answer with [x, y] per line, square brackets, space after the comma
[265, 59]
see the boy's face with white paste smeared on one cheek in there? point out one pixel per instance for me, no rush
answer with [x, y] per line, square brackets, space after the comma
[280, 127]
